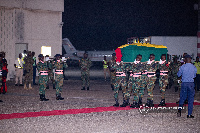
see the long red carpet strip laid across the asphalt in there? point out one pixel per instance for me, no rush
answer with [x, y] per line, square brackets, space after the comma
[73, 111]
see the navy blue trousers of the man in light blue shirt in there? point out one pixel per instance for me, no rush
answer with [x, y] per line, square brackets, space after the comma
[187, 91]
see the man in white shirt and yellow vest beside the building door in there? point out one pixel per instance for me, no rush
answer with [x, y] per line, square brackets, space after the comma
[19, 70]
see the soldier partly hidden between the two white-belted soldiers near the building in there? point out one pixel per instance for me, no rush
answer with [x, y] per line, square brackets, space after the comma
[50, 72]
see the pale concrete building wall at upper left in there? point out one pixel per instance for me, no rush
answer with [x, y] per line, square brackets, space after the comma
[32, 22]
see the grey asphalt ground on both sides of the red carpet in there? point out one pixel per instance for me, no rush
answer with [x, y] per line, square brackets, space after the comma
[18, 100]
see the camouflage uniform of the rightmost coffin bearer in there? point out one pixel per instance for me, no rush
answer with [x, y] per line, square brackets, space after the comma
[163, 79]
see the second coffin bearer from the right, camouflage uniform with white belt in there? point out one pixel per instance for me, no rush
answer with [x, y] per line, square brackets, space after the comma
[151, 67]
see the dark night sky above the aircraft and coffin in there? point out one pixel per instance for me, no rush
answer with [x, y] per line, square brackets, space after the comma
[106, 24]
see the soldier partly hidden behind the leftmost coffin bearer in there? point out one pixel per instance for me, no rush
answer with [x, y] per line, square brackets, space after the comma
[111, 63]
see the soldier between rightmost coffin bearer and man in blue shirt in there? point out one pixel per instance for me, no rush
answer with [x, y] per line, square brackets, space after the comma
[174, 68]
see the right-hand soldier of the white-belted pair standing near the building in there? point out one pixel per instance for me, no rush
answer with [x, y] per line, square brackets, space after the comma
[58, 65]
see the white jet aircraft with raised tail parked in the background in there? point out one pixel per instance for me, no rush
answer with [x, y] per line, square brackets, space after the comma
[94, 56]
